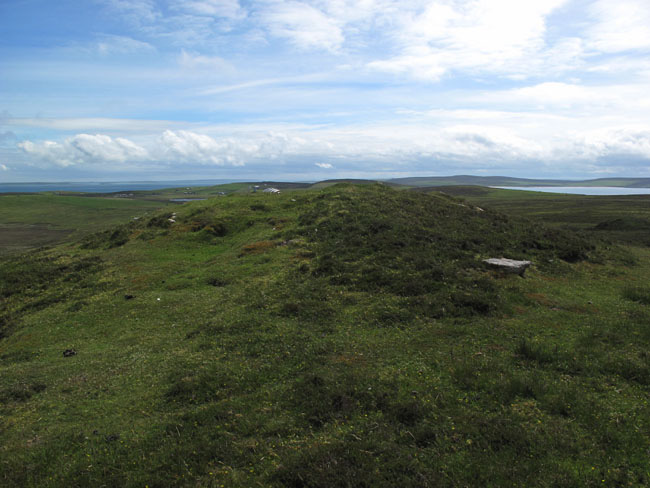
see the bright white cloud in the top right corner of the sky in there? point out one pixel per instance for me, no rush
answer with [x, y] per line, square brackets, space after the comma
[621, 25]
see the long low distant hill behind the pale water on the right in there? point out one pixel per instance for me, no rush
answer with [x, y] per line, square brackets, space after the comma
[510, 181]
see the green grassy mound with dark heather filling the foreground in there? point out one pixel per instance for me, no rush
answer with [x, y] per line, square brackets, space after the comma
[237, 361]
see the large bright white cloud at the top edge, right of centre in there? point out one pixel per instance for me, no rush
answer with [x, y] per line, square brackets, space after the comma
[498, 36]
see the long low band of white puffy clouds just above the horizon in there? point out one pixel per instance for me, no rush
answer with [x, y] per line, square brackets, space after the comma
[499, 142]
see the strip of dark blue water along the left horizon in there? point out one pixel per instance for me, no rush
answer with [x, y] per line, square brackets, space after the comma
[104, 187]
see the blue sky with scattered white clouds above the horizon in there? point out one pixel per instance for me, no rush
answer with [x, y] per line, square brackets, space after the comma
[117, 90]
